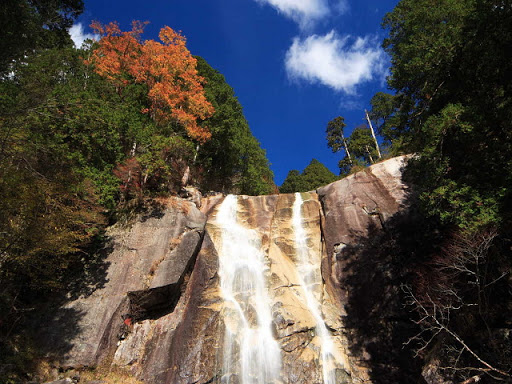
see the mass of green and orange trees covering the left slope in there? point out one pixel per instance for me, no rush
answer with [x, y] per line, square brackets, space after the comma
[88, 133]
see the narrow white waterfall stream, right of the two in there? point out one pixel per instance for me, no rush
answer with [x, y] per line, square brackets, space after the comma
[311, 281]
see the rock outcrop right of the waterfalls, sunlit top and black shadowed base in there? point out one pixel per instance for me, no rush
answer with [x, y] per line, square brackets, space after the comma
[357, 211]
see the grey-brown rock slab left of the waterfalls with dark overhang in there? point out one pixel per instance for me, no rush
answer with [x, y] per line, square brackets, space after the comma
[145, 272]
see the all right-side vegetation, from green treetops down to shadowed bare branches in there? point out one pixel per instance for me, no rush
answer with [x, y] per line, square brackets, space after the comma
[452, 107]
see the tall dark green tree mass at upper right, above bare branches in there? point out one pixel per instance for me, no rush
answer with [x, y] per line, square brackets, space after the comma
[447, 71]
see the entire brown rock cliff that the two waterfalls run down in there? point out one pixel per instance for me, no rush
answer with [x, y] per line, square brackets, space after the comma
[163, 314]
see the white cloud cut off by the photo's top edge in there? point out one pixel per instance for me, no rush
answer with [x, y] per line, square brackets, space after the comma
[304, 12]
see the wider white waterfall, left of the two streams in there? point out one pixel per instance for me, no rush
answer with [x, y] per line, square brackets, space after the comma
[251, 354]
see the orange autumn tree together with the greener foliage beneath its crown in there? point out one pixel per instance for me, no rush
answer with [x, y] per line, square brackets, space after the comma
[176, 99]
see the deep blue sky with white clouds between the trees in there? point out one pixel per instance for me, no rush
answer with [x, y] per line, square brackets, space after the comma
[294, 64]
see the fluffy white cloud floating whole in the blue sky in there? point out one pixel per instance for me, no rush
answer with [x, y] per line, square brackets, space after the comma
[340, 63]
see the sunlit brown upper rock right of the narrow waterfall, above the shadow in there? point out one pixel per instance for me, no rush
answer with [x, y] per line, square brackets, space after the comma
[352, 207]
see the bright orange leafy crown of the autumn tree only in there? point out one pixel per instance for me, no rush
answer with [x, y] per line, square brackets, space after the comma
[167, 68]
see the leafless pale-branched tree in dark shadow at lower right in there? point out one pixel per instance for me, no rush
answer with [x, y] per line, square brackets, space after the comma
[457, 288]
